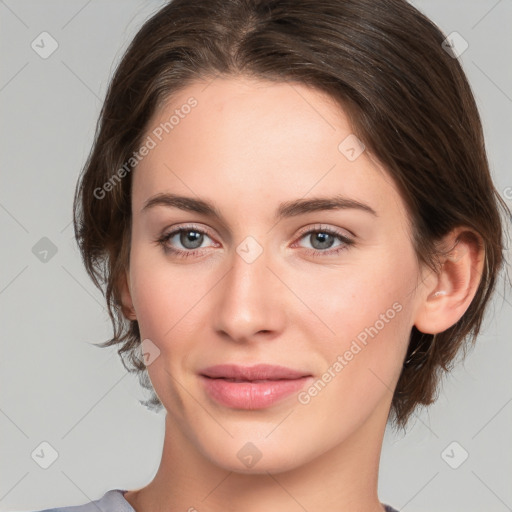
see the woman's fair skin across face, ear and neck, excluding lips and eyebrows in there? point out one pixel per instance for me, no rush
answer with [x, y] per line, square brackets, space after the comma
[248, 146]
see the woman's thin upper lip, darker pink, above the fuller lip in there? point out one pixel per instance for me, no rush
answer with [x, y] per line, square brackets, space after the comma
[250, 373]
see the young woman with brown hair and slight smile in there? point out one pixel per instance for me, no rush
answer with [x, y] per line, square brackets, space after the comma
[290, 207]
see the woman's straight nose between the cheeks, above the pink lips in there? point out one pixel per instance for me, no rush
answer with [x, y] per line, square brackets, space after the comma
[251, 301]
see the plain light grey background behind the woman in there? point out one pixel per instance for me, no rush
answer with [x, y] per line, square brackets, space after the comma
[59, 388]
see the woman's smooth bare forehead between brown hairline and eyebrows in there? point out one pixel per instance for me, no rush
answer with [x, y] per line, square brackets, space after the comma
[255, 142]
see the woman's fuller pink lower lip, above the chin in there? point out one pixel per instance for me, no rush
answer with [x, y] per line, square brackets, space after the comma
[251, 395]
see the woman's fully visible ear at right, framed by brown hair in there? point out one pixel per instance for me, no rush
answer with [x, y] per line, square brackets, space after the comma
[448, 293]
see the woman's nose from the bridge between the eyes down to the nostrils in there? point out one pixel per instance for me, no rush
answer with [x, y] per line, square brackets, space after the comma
[249, 300]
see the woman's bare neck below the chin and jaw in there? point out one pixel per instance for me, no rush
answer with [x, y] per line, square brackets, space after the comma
[343, 478]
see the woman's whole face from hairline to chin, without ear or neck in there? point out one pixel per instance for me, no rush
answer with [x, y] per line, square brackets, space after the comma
[329, 293]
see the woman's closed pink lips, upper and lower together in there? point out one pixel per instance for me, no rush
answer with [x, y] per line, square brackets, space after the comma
[251, 387]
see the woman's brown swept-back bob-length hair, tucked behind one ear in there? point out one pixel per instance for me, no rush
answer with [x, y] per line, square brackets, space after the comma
[383, 62]
